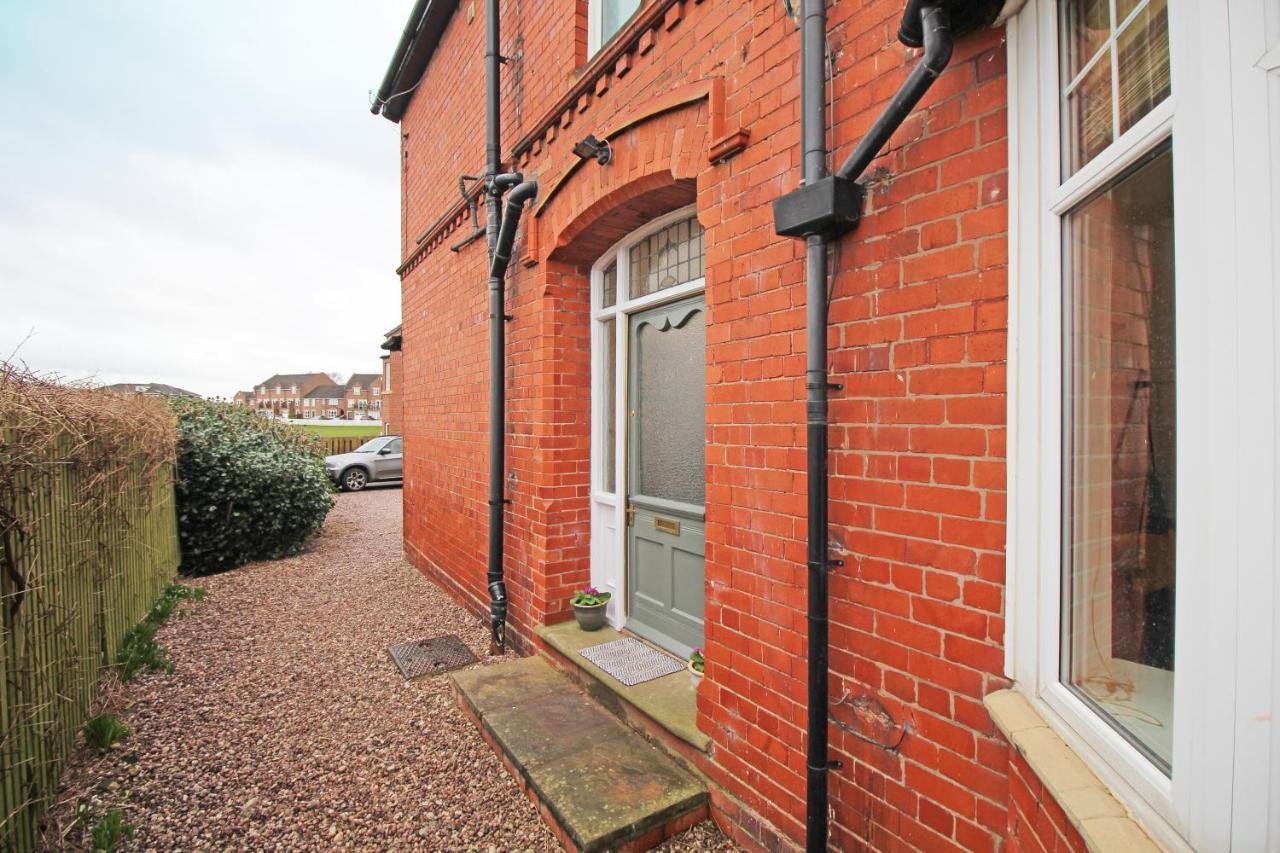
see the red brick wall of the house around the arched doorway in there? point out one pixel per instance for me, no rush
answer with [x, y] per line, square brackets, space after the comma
[918, 341]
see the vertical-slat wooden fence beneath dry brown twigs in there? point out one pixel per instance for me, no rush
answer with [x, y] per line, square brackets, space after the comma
[75, 577]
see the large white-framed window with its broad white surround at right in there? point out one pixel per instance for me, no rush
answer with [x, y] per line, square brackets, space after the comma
[1133, 446]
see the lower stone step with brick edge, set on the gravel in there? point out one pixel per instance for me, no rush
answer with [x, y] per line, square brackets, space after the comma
[598, 783]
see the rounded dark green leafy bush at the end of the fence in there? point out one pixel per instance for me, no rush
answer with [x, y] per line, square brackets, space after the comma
[248, 489]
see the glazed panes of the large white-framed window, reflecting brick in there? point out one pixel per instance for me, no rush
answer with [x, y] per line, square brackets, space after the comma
[1119, 378]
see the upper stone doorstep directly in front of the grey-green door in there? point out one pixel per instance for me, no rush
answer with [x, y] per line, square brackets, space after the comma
[665, 709]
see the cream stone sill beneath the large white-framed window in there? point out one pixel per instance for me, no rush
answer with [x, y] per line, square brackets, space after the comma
[1095, 813]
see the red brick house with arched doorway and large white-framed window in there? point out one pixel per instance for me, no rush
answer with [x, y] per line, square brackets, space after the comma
[1009, 466]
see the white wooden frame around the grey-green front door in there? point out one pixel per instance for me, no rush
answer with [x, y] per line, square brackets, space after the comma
[609, 526]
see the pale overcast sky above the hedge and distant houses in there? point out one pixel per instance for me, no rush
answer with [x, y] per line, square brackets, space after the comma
[195, 193]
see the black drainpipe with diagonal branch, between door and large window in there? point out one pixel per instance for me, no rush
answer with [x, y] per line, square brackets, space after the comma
[821, 209]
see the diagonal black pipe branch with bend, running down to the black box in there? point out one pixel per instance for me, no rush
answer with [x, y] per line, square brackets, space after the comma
[936, 25]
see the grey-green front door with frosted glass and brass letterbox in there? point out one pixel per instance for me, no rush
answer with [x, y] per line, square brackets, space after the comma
[668, 475]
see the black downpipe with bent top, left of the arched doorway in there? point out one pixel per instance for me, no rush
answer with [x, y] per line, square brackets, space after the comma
[506, 238]
